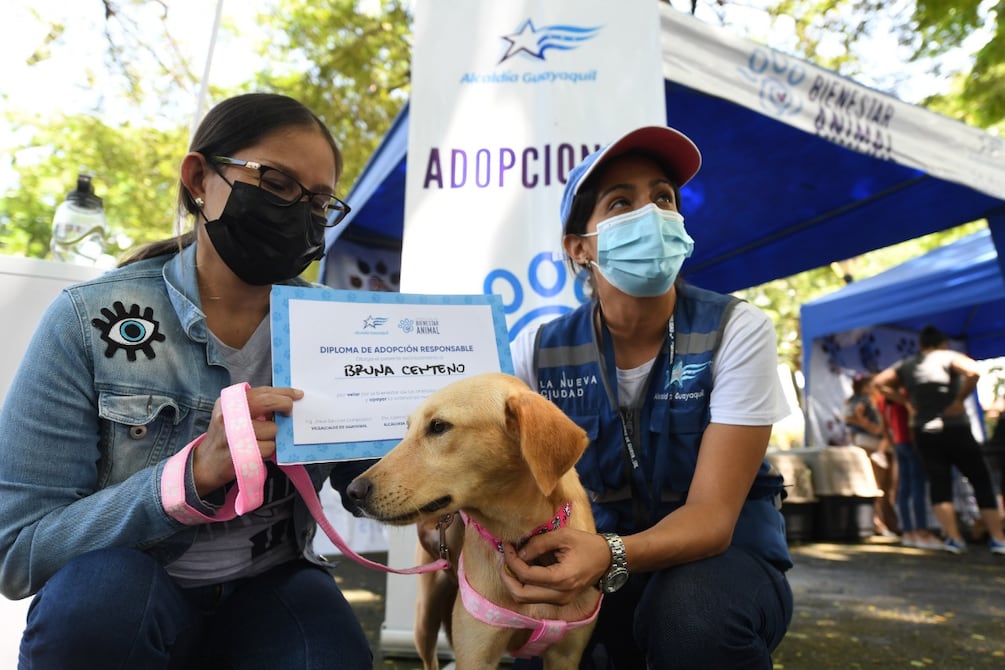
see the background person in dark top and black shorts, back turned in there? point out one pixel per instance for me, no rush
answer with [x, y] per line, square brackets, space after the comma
[936, 382]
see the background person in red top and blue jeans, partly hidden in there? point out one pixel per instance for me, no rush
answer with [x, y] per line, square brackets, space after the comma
[912, 489]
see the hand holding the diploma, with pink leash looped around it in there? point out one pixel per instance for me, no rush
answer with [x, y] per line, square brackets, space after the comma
[213, 467]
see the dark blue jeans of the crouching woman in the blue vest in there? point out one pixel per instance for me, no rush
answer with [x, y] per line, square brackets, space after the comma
[730, 611]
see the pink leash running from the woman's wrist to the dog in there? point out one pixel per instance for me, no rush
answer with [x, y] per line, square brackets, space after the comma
[249, 493]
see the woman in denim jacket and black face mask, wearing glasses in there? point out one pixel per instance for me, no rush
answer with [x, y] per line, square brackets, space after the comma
[123, 376]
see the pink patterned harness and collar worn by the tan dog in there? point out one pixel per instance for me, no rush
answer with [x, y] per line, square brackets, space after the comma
[546, 631]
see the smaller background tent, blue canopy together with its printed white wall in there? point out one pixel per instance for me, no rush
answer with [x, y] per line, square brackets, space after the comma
[872, 324]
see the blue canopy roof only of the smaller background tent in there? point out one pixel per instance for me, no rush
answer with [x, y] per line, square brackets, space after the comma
[958, 289]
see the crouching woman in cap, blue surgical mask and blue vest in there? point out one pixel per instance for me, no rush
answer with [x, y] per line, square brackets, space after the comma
[678, 389]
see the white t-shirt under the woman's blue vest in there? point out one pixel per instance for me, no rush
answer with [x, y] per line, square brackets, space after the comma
[746, 389]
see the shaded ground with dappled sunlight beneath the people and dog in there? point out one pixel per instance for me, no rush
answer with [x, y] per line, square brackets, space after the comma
[870, 604]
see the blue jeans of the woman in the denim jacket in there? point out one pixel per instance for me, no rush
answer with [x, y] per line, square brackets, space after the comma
[119, 609]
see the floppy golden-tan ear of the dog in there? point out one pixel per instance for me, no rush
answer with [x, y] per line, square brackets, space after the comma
[550, 441]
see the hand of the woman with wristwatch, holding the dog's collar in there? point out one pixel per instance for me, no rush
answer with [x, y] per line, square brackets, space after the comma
[580, 560]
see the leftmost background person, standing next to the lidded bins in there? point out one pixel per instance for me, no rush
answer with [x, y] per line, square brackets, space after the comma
[869, 431]
